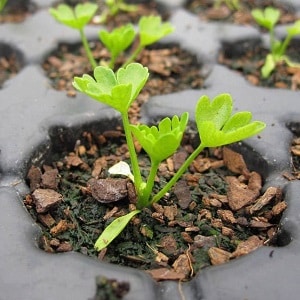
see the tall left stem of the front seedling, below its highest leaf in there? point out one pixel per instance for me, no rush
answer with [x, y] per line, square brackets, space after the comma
[133, 157]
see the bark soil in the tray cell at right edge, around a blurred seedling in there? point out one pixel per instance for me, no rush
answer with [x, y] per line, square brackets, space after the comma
[247, 58]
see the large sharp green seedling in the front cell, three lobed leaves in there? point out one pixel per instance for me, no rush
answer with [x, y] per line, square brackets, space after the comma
[216, 124]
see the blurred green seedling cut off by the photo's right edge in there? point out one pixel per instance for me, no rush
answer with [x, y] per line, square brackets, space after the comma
[268, 18]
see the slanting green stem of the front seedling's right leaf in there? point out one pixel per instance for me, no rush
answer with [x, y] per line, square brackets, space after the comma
[178, 174]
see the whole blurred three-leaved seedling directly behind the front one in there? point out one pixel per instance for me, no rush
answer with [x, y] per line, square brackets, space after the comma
[151, 29]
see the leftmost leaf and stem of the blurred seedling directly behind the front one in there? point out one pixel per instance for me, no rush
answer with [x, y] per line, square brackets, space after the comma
[77, 18]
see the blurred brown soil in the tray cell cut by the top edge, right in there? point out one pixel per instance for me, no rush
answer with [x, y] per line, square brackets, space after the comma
[207, 10]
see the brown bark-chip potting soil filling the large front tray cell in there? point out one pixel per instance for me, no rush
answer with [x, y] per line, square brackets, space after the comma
[215, 213]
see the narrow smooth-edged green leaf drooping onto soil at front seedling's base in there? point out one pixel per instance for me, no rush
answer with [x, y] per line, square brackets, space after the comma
[113, 230]
